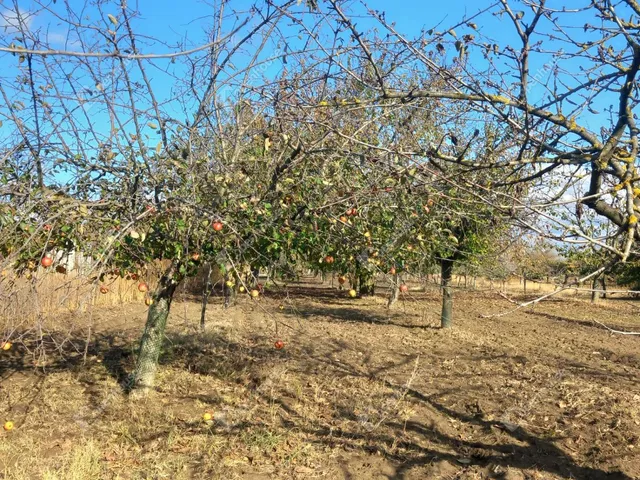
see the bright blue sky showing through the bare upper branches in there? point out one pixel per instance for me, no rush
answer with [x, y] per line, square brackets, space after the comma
[185, 22]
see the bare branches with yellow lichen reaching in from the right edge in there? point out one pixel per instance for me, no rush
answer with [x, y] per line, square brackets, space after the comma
[549, 112]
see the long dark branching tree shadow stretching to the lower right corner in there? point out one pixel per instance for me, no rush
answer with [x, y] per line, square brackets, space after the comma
[522, 449]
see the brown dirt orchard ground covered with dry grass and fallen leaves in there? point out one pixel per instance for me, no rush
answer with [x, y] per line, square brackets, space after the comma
[358, 392]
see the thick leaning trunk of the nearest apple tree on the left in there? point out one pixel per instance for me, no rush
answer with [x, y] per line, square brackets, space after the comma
[153, 336]
